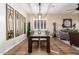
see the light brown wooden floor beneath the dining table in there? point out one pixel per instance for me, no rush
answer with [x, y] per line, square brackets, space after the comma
[57, 48]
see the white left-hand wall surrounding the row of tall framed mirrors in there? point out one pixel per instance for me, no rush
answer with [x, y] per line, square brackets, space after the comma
[5, 45]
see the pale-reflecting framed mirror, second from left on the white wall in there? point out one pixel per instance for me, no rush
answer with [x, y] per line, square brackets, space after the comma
[19, 23]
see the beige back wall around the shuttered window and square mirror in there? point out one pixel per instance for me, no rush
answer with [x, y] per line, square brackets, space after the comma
[58, 18]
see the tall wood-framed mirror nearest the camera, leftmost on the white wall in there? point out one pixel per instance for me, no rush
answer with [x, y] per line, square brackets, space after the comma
[9, 21]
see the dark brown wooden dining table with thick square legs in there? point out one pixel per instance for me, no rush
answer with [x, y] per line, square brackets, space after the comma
[30, 41]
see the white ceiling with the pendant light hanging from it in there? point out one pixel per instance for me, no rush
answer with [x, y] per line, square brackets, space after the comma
[48, 8]
